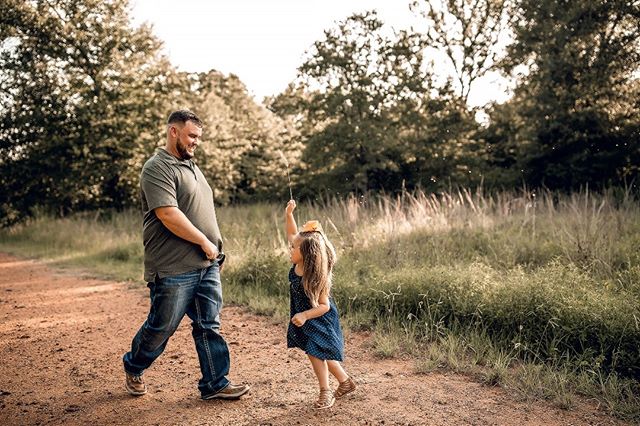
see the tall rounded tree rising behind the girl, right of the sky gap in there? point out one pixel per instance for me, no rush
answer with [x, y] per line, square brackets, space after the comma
[344, 98]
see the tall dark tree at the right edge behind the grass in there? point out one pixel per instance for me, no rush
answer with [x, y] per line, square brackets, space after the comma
[579, 99]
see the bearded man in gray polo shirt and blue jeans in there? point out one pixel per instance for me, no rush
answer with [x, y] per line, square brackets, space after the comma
[182, 260]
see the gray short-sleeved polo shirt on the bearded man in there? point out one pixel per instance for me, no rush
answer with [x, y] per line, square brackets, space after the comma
[168, 181]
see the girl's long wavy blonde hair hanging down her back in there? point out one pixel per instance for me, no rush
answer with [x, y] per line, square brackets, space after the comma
[319, 257]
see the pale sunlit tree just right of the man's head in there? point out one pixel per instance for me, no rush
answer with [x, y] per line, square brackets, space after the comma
[243, 140]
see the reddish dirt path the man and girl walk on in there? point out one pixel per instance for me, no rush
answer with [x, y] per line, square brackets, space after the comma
[62, 337]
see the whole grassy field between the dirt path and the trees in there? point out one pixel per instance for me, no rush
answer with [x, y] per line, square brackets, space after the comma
[536, 292]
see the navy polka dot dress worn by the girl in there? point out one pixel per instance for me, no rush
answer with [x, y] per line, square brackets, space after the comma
[320, 337]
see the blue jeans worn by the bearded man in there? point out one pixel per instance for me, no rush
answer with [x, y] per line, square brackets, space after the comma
[198, 294]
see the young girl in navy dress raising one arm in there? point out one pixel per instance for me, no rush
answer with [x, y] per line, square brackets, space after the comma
[315, 326]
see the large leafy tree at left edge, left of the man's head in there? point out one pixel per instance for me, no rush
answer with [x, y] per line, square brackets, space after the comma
[84, 96]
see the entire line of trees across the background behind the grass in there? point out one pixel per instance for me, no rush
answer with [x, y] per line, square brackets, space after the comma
[84, 96]
